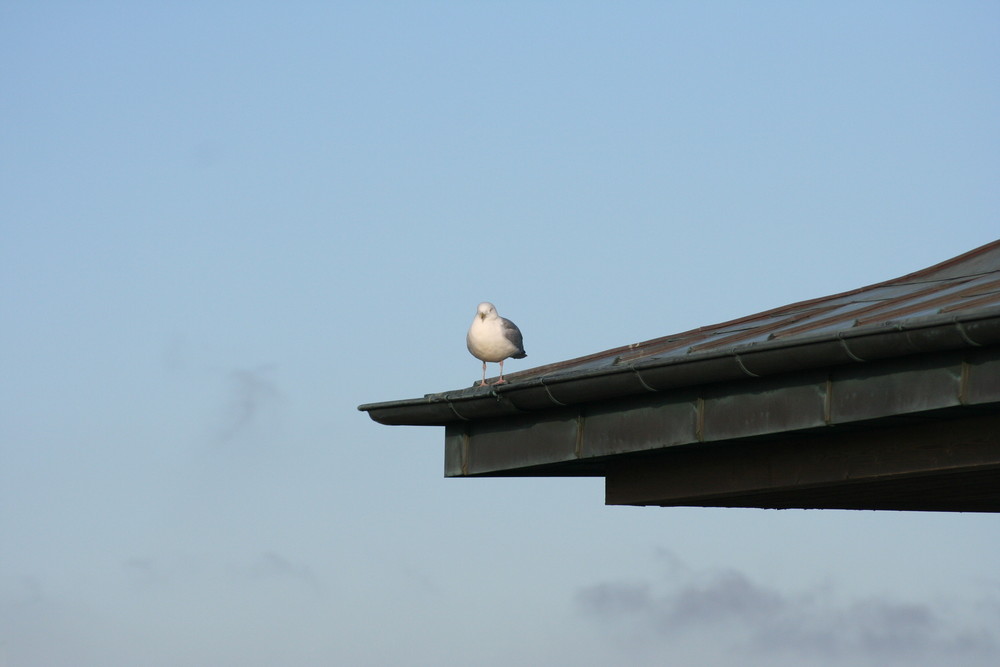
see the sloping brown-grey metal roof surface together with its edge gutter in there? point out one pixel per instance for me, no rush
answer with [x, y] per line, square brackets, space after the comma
[952, 305]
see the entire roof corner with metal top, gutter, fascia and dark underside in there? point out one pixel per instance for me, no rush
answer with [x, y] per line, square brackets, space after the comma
[831, 403]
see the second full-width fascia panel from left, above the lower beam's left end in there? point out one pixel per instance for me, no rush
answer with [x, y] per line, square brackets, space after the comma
[644, 424]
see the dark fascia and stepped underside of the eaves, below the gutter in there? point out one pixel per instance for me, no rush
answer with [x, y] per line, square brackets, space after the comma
[865, 436]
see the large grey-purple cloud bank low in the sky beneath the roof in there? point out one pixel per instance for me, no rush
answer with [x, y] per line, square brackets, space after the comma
[744, 617]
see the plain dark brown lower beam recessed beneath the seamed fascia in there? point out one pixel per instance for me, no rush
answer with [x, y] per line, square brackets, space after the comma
[806, 468]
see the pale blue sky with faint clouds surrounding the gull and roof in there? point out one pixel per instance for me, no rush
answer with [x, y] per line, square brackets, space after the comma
[225, 225]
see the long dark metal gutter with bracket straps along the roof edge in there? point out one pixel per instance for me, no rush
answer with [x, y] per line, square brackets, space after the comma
[935, 333]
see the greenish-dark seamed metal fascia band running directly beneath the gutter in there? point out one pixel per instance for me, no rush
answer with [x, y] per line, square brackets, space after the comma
[754, 407]
